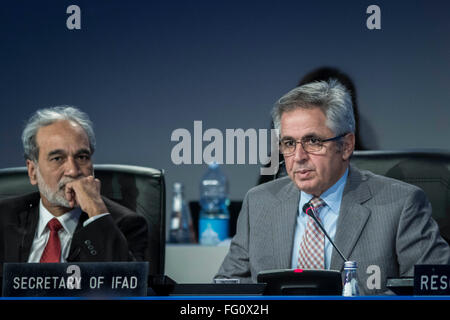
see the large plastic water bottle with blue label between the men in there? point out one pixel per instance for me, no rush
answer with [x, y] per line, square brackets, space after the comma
[214, 217]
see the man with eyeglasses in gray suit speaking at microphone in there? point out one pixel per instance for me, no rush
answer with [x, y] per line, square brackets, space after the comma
[373, 220]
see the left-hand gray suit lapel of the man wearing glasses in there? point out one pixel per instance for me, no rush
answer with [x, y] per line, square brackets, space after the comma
[284, 225]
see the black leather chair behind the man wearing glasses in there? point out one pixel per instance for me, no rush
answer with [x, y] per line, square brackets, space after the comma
[429, 170]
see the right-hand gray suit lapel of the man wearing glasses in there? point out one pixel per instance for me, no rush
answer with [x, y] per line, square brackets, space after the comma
[352, 217]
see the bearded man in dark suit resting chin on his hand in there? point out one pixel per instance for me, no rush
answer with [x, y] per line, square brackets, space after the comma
[67, 220]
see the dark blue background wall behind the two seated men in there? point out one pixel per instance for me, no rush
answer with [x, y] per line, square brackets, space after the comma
[142, 69]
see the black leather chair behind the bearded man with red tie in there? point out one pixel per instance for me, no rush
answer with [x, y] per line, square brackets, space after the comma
[137, 188]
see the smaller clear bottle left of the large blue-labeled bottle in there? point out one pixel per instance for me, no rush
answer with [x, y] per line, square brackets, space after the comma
[181, 227]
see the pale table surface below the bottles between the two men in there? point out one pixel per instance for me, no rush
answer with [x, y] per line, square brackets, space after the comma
[191, 263]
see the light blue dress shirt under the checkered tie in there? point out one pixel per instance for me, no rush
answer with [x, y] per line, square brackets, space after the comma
[328, 215]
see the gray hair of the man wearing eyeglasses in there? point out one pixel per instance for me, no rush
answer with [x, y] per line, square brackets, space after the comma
[330, 96]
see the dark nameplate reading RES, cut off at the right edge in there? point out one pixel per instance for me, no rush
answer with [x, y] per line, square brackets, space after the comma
[431, 280]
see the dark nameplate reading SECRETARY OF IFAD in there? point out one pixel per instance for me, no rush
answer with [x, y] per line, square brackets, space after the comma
[84, 279]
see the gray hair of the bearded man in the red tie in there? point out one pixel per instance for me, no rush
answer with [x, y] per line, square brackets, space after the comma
[47, 116]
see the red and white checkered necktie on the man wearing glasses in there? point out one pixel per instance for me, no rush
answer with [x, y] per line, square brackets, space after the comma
[311, 254]
